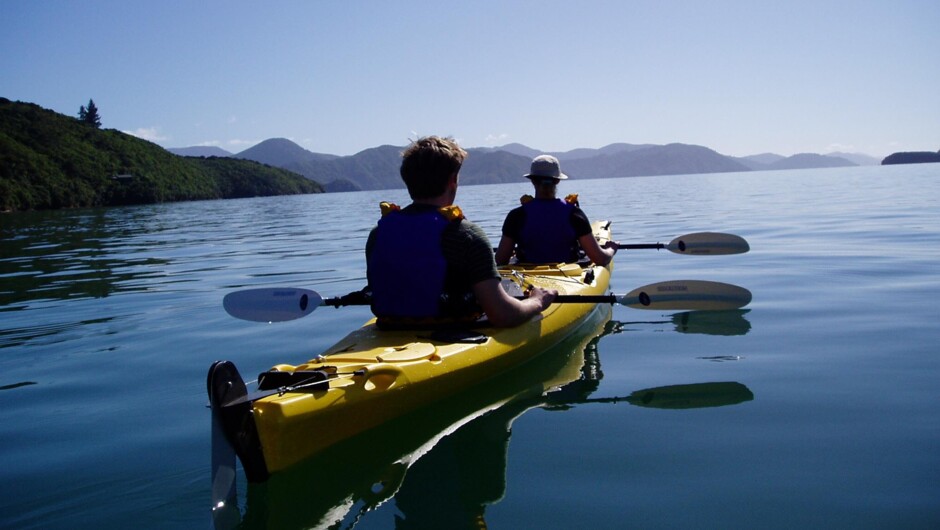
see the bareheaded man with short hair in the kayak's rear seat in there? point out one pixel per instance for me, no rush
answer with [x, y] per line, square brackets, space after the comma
[427, 263]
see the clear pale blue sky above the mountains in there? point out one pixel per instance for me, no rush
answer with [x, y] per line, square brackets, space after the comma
[740, 77]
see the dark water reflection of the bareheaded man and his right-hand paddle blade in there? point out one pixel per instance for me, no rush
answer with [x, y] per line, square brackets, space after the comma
[466, 470]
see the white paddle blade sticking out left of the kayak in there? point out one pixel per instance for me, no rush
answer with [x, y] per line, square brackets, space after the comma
[271, 304]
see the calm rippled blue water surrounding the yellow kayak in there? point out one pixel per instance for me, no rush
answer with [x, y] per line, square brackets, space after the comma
[109, 320]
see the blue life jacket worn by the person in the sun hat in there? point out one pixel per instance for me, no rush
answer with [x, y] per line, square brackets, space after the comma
[547, 235]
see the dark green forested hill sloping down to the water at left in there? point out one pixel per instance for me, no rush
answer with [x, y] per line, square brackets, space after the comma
[49, 160]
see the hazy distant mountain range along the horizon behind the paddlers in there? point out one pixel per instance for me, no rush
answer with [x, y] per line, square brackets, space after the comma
[377, 168]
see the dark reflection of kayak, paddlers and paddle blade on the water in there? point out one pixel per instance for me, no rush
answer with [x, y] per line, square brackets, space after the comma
[443, 465]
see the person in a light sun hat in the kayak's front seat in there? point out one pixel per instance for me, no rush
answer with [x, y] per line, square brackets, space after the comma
[546, 229]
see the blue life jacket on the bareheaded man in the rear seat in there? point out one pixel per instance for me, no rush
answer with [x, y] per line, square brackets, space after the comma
[406, 266]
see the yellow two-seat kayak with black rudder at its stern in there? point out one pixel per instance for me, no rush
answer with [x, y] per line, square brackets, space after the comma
[373, 376]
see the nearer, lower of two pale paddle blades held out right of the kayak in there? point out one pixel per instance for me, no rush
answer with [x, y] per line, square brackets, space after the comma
[691, 295]
